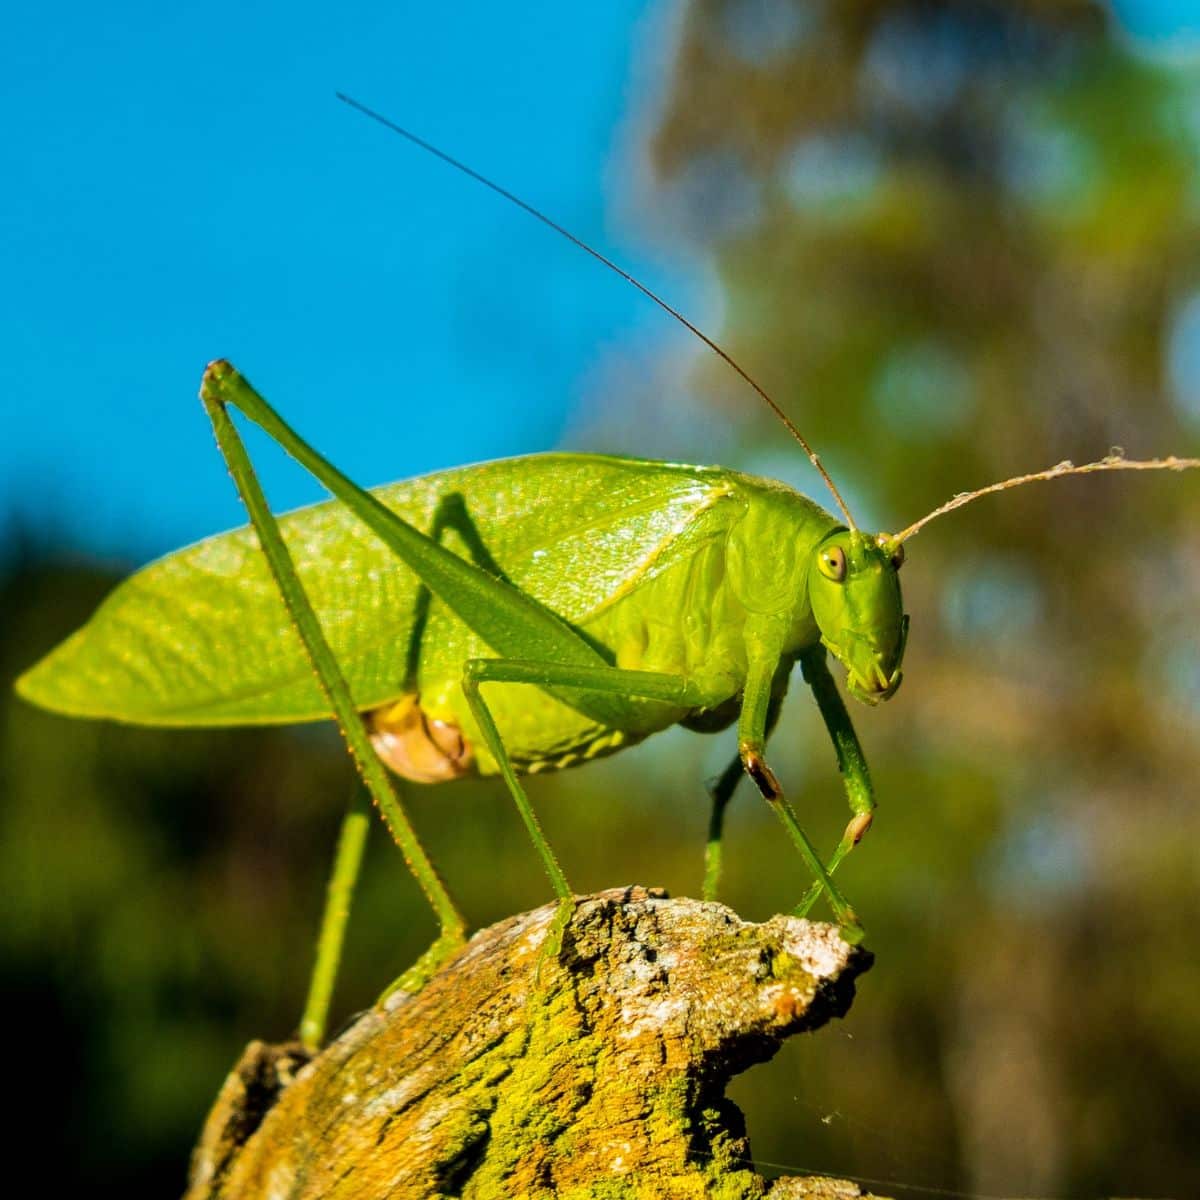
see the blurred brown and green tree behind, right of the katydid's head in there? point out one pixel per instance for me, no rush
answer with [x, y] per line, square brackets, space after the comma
[957, 241]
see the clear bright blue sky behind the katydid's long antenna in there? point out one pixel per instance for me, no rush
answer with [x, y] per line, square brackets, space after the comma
[184, 187]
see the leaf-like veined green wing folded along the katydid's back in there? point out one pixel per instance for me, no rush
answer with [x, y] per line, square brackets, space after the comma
[202, 638]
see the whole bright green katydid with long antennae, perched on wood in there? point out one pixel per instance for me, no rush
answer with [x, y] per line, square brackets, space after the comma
[478, 621]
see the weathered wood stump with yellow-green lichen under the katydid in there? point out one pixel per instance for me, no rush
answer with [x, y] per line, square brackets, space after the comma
[599, 1072]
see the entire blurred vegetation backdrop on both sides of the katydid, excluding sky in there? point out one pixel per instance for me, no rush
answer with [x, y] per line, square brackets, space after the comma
[958, 241]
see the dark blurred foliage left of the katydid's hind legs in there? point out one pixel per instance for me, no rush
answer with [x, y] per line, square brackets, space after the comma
[139, 871]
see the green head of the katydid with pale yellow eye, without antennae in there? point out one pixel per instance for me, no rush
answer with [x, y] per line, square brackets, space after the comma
[855, 591]
